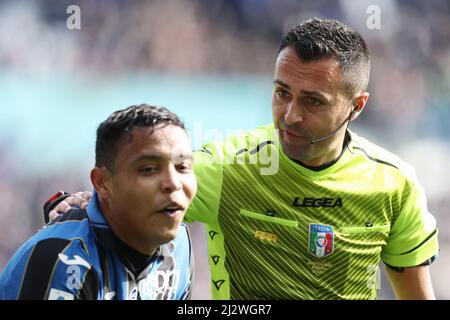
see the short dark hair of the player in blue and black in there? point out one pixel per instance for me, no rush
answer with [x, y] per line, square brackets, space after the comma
[110, 133]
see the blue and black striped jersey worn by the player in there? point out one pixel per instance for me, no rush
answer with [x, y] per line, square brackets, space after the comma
[78, 256]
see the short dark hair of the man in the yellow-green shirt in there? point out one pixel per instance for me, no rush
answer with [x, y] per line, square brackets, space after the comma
[317, 38]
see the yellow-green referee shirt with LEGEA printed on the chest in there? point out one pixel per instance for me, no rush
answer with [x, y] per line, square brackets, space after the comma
[278, 230]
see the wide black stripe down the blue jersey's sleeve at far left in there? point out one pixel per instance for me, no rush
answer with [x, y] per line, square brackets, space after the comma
[40, 267]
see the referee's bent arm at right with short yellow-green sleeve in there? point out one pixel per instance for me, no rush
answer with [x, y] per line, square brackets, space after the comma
[412, 246]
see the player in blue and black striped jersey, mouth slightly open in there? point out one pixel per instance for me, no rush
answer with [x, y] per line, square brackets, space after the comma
[128, 243]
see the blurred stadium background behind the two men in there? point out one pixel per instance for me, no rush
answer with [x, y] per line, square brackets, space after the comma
[211, 62]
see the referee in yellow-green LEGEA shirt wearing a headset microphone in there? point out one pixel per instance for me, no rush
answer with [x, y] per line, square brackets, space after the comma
[304, 208]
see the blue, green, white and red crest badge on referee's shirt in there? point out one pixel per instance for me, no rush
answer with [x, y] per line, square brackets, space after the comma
[321, 240]
